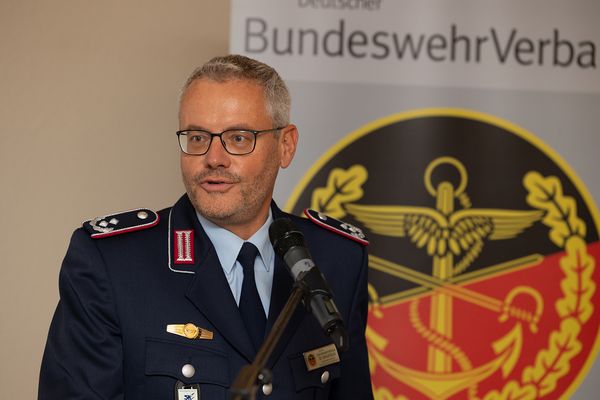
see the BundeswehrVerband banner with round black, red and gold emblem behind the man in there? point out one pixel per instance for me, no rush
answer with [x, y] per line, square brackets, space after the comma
[461, 138]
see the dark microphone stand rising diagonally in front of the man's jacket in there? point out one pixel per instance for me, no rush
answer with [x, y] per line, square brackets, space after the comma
[250, 376]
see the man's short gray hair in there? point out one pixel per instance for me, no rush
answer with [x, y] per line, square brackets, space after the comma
[234, 66]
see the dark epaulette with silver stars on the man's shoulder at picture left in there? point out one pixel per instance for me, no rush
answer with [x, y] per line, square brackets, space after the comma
[122, 222]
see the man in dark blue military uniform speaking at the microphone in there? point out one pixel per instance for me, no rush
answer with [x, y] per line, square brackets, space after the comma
[161, 305]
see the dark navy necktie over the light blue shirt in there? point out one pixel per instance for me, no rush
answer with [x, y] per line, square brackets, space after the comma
[250, 306]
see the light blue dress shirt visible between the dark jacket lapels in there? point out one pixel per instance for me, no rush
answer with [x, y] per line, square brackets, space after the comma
[228, 245]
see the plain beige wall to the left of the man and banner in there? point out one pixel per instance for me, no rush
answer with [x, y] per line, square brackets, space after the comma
[88, 102]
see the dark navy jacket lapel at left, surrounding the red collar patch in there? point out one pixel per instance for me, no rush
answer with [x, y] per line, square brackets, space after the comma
[209, 290]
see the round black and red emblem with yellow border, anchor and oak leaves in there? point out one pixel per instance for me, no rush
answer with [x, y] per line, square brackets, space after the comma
[483, 256]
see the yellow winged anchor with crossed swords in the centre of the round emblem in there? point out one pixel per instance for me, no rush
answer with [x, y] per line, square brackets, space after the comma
[447, 234]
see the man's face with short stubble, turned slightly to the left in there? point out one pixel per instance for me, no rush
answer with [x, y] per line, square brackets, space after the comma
[233, 191]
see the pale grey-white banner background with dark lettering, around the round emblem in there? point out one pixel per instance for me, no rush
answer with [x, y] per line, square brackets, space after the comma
[523, 75]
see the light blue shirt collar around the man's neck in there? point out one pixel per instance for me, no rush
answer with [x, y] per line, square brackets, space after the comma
[227, 244]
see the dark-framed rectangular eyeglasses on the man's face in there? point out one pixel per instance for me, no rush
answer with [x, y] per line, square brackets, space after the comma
[237, 142]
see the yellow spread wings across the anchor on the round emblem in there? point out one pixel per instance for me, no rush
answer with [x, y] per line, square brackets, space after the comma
[456, 232]
